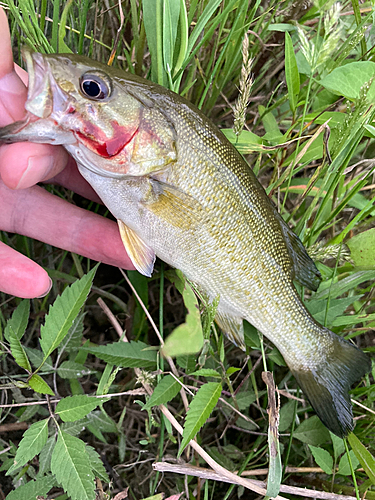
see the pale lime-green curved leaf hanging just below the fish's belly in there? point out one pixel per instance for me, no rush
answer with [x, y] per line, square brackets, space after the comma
[188, 337]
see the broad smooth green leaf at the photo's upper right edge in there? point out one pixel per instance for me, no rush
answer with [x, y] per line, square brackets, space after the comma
[348, 80]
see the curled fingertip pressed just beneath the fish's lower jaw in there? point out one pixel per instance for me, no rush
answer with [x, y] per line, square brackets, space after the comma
[25, 164]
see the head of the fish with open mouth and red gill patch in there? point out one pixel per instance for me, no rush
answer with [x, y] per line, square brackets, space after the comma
[105, 118]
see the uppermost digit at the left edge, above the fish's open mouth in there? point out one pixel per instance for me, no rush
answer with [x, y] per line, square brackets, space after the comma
[12, 90]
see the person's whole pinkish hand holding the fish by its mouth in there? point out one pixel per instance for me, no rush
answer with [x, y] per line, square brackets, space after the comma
[30, 210]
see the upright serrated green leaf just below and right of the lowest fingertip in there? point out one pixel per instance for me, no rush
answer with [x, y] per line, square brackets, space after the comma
[63, 312]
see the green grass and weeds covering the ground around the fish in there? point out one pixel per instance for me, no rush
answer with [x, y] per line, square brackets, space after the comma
[321, 179]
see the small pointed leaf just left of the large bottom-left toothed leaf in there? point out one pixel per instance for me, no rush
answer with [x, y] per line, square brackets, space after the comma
[31, 444]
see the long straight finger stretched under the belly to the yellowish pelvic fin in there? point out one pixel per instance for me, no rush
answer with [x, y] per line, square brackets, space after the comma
[40, 215]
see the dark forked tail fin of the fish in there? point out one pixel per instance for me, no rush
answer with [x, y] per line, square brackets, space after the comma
[327, 387]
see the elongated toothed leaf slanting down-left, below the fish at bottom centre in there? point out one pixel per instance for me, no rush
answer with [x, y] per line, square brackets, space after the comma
[199, 410]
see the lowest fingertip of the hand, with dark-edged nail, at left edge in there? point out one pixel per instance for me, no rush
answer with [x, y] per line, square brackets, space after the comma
[21, 276]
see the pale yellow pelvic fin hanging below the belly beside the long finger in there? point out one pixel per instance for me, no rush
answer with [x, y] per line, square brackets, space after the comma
[141, 255]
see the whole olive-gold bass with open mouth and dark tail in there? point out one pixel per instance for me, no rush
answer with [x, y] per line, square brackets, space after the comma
[180, 191]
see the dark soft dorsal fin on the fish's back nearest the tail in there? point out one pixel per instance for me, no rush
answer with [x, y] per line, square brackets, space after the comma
[304, 269]
